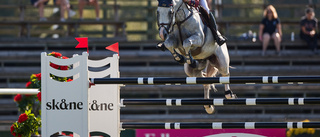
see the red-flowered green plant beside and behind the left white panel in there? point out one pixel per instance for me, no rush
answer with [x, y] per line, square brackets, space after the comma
[30, 121]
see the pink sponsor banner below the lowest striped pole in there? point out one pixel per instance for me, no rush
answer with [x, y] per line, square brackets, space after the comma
[211, 133]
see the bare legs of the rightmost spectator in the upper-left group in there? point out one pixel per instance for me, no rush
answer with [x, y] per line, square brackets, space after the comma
[95, 3]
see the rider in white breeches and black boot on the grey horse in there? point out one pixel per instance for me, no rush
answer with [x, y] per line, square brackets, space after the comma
[212, 22]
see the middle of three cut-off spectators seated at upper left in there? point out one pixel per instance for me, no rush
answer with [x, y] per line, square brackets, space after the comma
[64, 6]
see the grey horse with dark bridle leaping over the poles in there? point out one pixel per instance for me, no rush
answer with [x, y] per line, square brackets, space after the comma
[191, 43]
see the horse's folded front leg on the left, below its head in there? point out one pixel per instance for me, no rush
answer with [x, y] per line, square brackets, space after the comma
[171, 43]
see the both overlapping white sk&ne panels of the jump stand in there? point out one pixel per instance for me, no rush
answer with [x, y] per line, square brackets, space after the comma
[73, 106]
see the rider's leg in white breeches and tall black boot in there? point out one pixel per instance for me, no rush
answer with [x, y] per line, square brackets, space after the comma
[212, 24]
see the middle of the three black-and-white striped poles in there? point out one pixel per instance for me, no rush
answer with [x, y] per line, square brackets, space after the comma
[221, 102]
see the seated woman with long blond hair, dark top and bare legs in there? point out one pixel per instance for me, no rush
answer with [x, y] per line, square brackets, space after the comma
[270, 27]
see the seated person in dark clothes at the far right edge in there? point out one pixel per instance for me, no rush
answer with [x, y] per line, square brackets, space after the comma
[308, 32]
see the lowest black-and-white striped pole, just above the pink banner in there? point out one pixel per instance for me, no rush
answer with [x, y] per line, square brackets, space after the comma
[221, 125]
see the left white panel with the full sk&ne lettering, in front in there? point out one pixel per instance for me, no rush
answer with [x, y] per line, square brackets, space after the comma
[64, 105]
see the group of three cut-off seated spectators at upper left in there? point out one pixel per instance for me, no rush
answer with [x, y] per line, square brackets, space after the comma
[64, 6]
